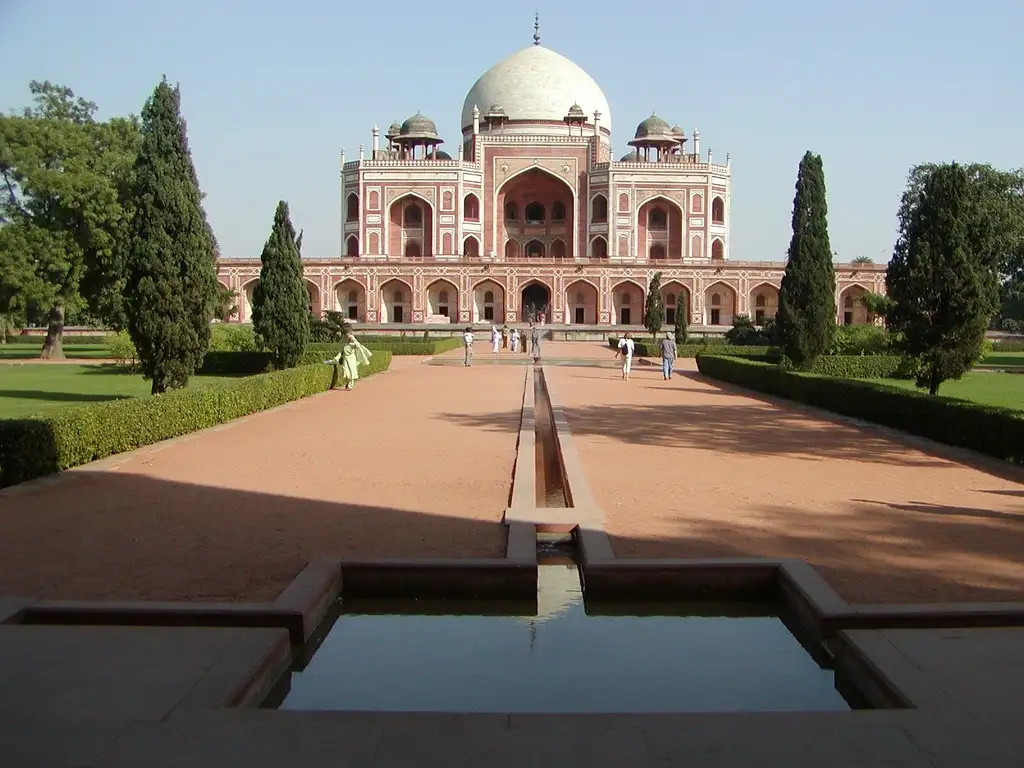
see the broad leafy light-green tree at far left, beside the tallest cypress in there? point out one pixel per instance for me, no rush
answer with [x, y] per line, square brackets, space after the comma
[63, 178]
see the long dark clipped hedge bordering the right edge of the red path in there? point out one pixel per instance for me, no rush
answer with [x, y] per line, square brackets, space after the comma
[990, 431]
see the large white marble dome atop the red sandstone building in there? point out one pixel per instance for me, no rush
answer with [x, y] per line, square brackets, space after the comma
[537, 84]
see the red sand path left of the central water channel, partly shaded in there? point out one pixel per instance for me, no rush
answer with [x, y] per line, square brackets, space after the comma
[237, 513]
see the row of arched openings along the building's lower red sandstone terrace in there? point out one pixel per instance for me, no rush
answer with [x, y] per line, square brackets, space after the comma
[580, 302]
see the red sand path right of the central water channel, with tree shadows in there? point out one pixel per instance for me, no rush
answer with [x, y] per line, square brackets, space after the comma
[690, 470]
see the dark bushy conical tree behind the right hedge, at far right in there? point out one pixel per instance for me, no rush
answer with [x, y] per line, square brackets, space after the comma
[945, 290]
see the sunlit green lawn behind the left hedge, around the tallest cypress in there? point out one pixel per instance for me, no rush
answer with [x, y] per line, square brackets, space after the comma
[27, 390]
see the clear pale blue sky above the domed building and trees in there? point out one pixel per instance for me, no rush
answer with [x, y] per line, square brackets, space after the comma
[273, 92]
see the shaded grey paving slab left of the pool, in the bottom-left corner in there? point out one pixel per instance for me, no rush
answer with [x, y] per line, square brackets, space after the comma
[66, 693]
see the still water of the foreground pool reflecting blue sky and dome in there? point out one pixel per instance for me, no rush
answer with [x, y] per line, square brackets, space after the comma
[562, 661]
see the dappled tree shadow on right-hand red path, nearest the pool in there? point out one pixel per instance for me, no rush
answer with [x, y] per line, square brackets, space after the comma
[869, 552]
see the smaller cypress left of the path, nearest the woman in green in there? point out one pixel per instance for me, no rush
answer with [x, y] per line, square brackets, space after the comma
[281, 305]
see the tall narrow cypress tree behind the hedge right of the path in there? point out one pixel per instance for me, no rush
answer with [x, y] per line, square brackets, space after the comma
[806, 317]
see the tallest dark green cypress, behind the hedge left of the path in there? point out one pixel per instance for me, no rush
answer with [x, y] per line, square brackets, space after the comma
[172, 292]
